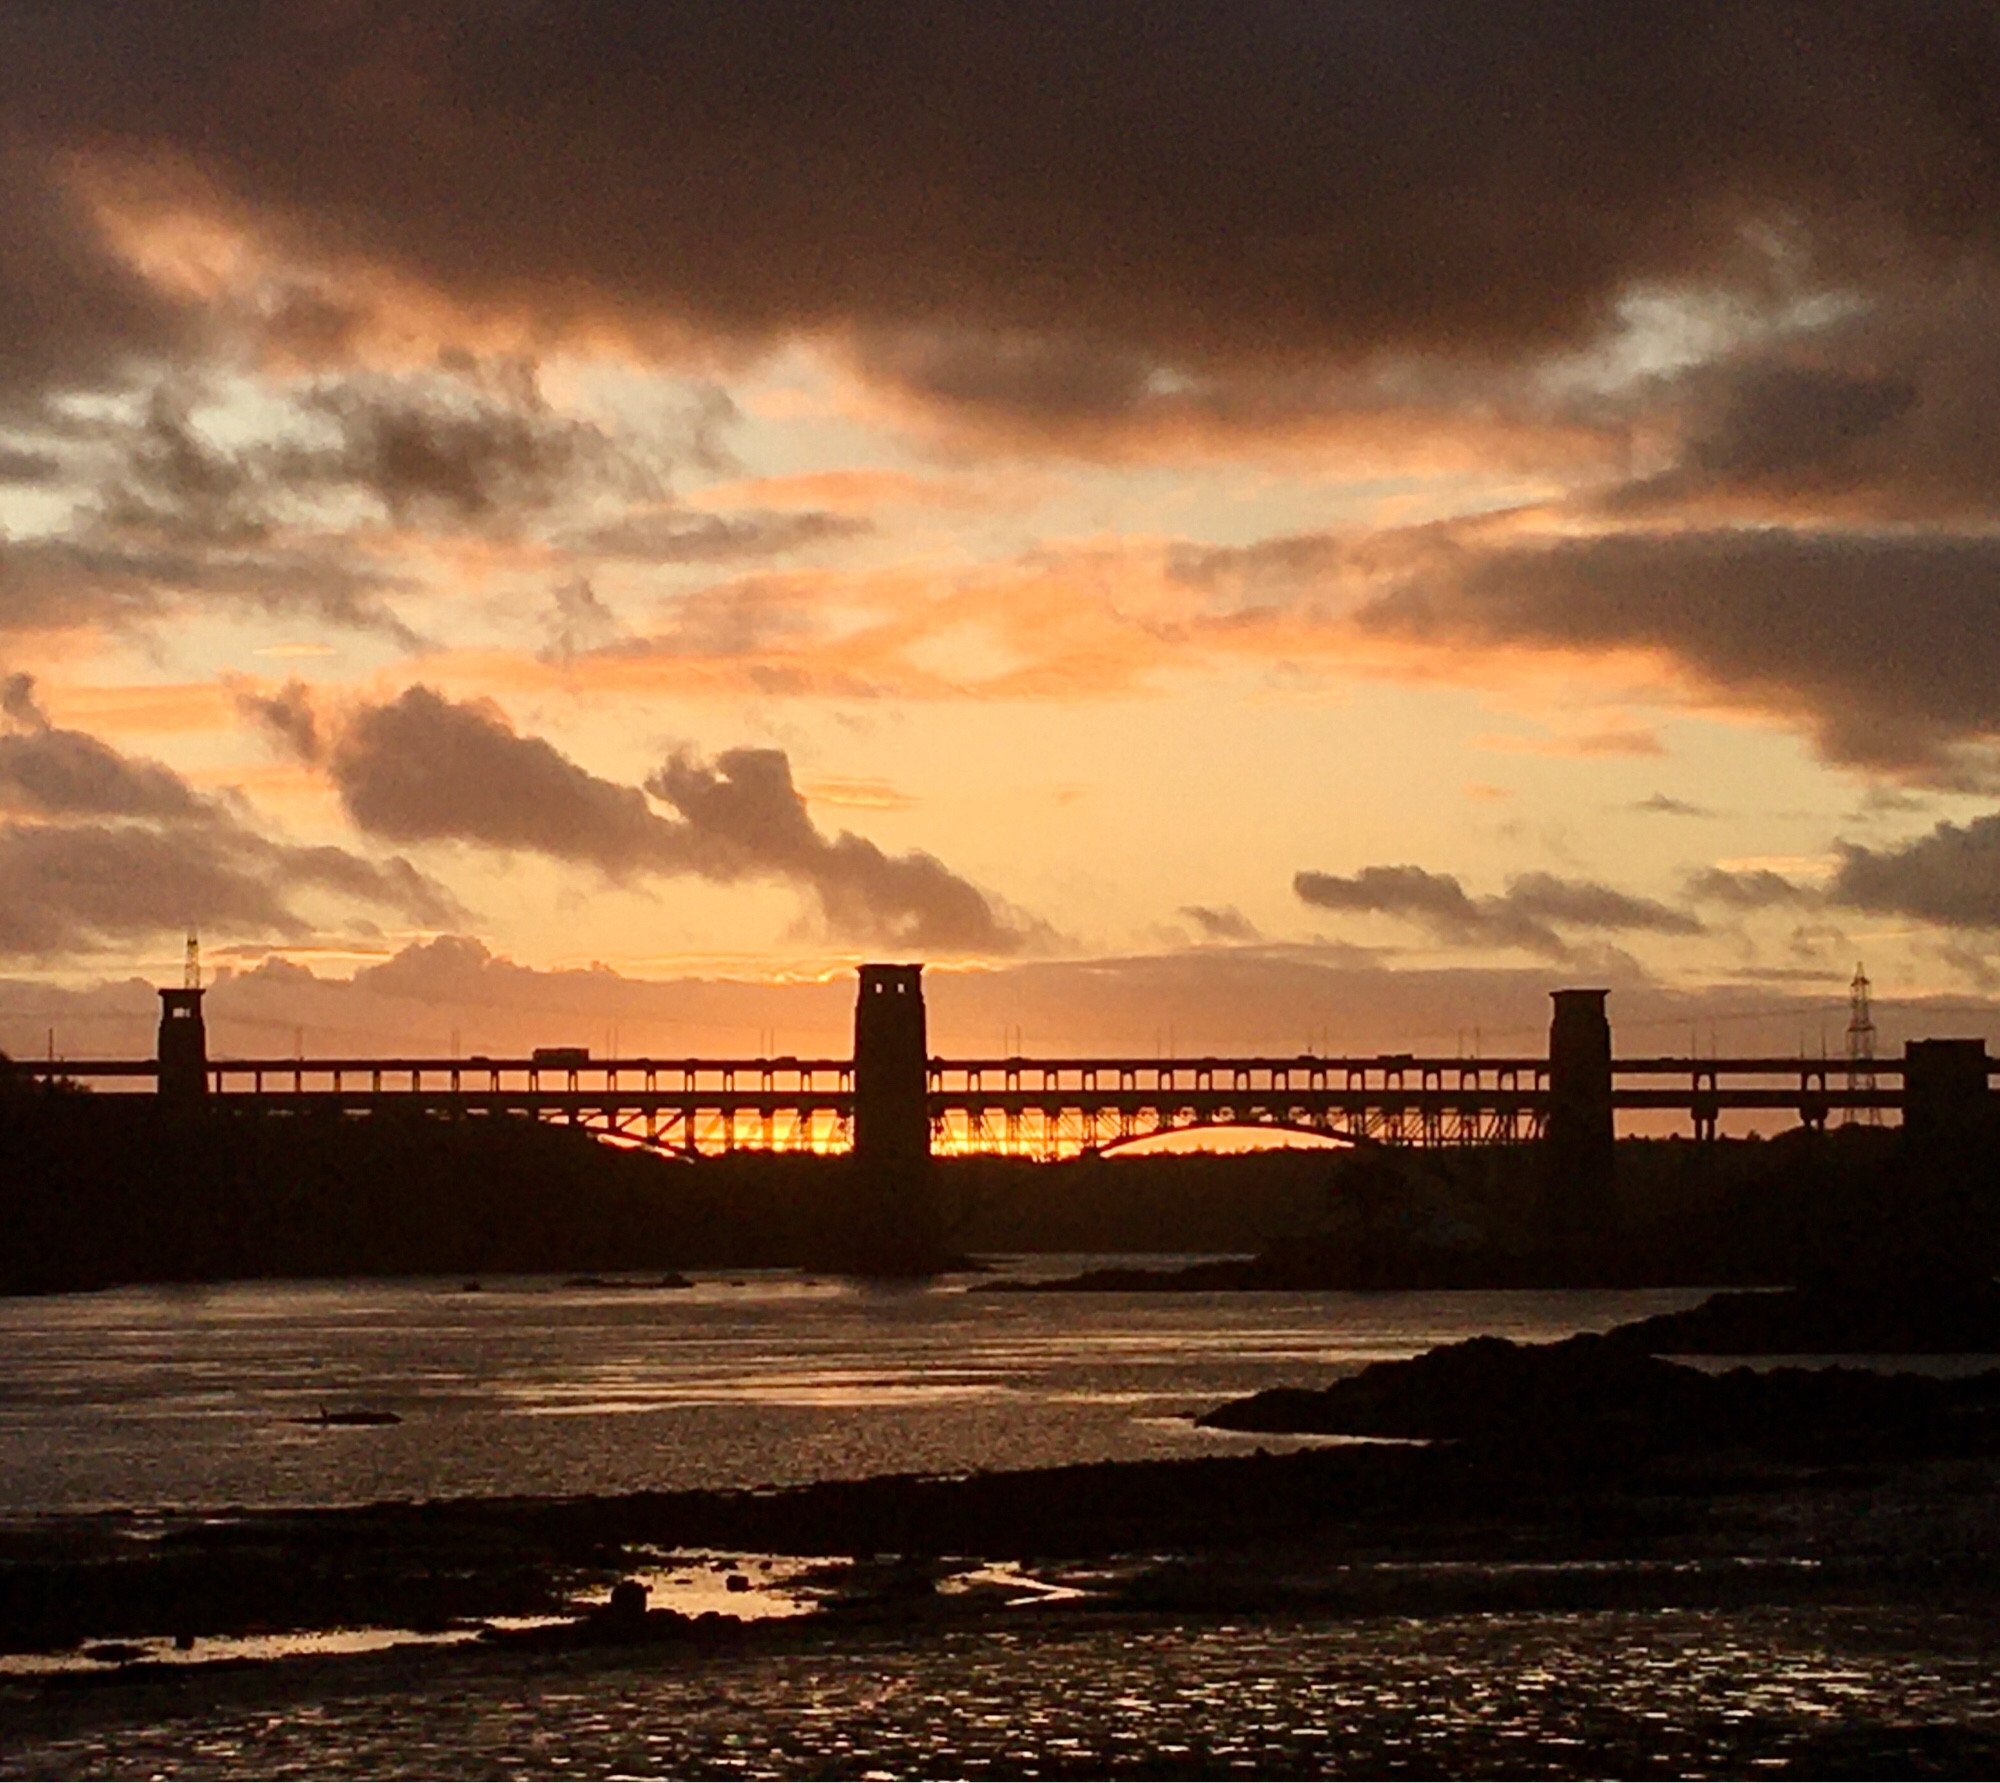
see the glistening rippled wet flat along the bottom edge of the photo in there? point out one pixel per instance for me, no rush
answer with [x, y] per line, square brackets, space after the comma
[1791, 1692]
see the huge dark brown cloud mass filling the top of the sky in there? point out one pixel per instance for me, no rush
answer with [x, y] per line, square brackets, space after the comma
[1159, 185]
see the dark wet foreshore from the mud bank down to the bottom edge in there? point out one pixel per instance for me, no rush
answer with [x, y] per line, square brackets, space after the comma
[1363, 1610]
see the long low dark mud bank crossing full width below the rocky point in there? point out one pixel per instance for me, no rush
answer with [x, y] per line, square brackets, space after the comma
[1387, 1528]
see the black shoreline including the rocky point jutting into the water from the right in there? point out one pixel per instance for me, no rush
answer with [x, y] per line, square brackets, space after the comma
[1473, 1452]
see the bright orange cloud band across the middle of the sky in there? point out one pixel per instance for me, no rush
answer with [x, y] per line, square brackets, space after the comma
[1081, 621]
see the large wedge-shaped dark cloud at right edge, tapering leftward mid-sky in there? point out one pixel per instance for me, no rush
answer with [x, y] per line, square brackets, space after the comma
[1883, 643]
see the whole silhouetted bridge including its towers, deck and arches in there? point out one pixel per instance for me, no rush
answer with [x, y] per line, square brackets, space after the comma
[897, 1100]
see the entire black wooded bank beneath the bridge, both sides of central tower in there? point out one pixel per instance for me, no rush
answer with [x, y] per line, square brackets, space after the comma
[99, 1190]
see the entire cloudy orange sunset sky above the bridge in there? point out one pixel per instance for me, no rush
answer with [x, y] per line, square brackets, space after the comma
[1215, 527]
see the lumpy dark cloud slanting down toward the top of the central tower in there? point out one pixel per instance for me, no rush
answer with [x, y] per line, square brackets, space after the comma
[425, 769]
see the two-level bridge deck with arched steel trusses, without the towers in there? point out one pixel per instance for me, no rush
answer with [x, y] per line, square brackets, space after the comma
[1017, 1104]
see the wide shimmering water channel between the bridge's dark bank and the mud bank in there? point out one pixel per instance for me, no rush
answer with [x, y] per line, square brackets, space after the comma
[205, 1396]
